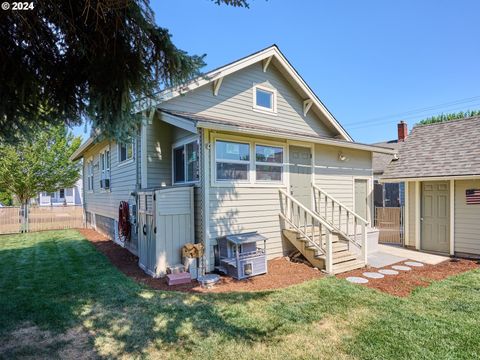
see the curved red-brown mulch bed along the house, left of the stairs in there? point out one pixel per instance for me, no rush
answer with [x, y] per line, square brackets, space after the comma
[281, 272]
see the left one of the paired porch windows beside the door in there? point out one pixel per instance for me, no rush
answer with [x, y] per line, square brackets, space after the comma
[232, 161]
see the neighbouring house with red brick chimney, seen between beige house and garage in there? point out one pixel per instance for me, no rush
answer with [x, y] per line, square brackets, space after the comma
[388, 194]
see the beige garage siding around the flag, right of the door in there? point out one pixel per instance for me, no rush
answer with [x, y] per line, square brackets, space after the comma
[467, 219]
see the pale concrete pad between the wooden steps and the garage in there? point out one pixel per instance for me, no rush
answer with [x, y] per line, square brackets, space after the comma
[386, 255]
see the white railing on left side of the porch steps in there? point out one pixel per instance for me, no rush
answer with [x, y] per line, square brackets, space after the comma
[309, 225]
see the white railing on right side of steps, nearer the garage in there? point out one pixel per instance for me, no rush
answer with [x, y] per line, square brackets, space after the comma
[342, 219]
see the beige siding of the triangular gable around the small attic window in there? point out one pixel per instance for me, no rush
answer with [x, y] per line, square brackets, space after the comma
[235, 101]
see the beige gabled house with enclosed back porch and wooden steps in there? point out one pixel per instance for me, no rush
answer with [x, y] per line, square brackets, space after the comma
[251, 138]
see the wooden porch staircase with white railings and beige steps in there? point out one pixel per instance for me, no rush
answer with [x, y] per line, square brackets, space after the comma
[326, 245]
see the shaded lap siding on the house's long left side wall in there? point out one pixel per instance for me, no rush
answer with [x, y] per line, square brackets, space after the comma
[122, 183]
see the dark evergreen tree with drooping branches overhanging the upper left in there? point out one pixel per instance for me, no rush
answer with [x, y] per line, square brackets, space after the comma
[65, 61]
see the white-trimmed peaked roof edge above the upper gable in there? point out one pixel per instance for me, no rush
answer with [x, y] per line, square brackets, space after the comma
[267, 55]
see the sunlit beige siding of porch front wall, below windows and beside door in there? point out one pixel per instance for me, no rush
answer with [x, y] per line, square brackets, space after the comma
[244, 208]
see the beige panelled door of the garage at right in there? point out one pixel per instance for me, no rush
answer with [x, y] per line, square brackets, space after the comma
[435, 219]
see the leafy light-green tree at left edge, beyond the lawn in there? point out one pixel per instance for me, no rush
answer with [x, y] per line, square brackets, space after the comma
[40, 163]
